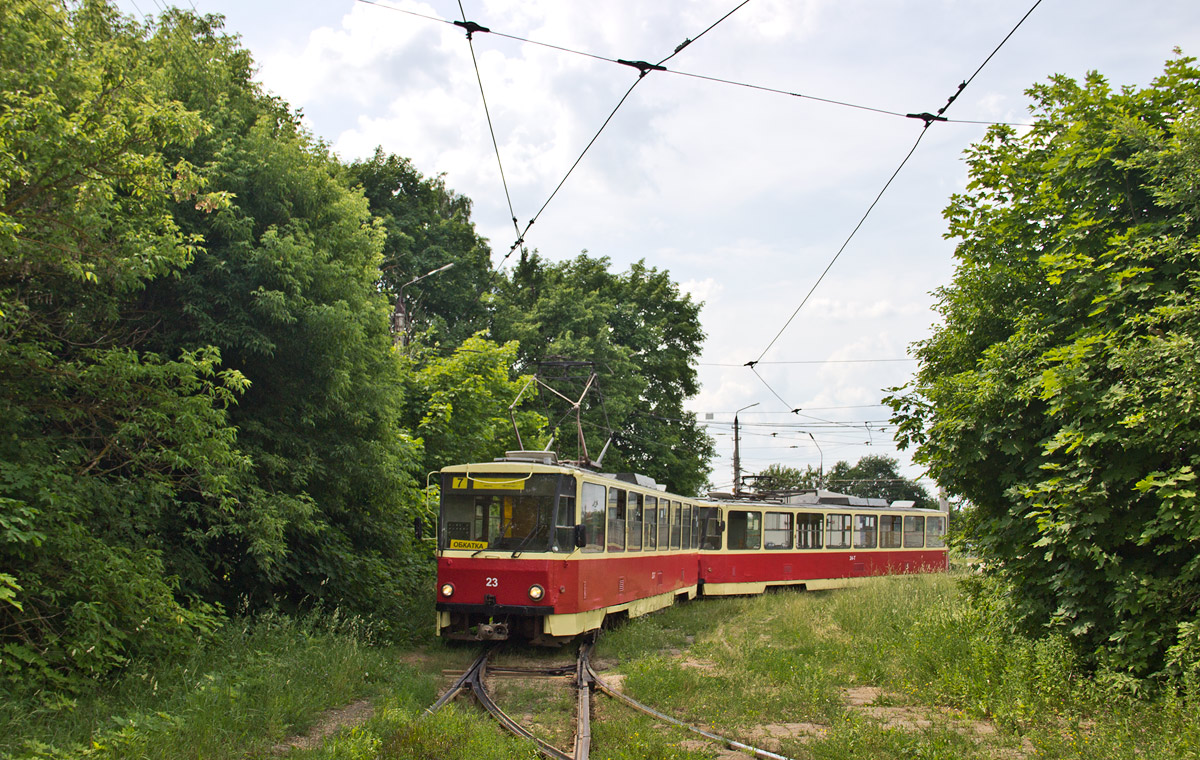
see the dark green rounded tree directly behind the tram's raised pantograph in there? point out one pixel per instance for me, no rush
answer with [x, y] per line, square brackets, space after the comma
[641, 337]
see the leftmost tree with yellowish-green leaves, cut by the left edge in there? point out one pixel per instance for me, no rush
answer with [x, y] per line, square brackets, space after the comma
[103, 444]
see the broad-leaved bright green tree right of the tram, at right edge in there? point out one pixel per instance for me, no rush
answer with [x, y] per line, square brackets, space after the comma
[1059, 394]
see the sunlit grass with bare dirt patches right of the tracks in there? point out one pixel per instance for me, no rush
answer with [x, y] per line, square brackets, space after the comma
[945, 677]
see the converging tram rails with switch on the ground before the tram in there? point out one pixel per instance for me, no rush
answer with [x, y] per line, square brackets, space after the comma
[586, 680]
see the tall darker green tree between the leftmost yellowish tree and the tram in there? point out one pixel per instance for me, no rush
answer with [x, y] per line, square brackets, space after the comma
[287, 288]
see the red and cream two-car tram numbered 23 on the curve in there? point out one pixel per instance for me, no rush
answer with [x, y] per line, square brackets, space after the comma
[533, 549]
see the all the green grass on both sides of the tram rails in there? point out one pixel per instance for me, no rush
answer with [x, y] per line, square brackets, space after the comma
[901, 668]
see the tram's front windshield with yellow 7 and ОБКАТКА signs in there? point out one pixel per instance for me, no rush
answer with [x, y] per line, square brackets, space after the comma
[508, 512]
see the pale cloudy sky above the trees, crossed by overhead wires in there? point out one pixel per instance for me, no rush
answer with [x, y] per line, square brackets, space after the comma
[746, 196]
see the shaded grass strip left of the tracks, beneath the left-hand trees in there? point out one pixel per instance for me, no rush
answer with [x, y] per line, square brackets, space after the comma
[260, 684]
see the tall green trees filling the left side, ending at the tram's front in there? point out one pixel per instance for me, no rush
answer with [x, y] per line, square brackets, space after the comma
[202, 403]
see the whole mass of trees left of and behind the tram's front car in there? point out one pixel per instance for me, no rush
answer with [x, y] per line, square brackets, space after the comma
[203, 406]
